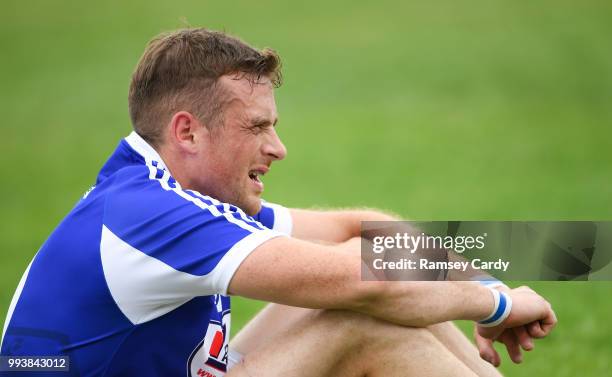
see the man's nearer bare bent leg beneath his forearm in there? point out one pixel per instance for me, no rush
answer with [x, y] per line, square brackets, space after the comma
[340, 343]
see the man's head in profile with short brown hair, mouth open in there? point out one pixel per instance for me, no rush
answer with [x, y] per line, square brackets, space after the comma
[205, 101]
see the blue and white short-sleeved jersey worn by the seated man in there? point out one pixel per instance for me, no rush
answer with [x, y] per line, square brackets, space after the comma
[133, 282]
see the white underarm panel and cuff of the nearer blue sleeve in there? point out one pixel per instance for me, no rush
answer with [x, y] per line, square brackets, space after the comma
[145, 288]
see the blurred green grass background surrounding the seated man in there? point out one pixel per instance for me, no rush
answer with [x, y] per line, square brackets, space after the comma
[471, 110]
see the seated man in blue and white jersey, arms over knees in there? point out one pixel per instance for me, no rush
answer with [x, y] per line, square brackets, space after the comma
[134, 281]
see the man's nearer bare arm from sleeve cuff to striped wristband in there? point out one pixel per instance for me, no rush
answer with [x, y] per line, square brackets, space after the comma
[299, 273]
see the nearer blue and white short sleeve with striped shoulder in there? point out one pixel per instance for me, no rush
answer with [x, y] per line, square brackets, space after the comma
[161, 246]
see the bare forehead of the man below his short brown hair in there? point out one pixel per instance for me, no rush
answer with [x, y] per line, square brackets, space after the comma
[254, 99]
